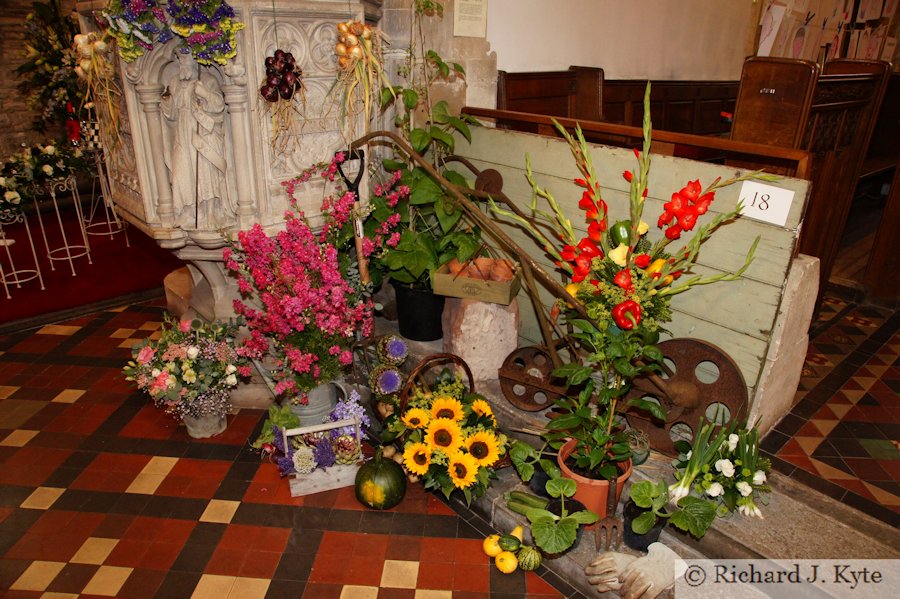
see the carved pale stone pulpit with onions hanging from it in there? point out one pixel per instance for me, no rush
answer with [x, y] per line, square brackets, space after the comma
[194, 160]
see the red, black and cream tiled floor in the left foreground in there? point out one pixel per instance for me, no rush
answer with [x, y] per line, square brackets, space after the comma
[102, 495]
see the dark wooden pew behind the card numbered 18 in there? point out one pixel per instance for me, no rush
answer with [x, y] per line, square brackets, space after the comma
[830, 113]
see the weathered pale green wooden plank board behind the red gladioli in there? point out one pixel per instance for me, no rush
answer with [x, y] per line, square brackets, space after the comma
[736, 316]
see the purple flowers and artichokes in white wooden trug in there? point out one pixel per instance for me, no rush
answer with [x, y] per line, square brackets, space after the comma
[305, 453]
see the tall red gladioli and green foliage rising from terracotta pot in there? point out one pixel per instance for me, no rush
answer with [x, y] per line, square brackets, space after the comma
[621, 285]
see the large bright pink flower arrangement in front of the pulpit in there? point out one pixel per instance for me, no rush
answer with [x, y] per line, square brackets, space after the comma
[307, 304]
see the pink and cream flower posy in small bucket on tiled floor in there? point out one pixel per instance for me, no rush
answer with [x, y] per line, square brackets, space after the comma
[190, 369]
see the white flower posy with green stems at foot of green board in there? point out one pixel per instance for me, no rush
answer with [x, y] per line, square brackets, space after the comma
[724, 468]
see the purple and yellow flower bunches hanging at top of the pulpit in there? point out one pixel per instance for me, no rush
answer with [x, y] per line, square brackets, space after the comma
[206, 27]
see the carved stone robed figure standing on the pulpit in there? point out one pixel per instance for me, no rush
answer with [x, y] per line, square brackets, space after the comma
[196, 159]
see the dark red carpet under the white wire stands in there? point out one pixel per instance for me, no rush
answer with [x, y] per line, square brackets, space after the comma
[115, 269]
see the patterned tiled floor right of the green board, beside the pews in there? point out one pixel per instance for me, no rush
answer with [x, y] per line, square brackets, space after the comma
[842, 436]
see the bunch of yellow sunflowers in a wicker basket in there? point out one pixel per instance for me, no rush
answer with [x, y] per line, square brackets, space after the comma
[448, 437]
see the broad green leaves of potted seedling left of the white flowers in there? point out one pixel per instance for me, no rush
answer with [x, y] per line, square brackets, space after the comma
[691, 514]
